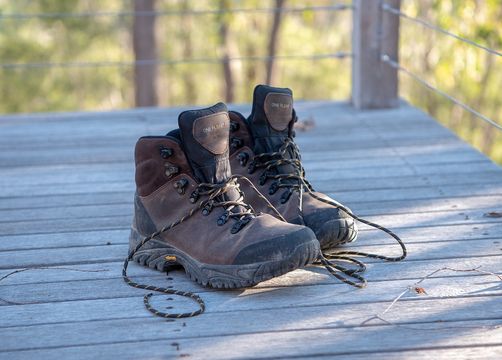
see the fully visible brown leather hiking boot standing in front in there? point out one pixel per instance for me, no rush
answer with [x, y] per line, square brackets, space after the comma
[187, 198]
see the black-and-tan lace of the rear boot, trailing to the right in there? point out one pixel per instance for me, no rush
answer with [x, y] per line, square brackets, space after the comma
[296, 182]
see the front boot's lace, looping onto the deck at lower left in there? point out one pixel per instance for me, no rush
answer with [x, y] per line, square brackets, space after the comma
[215, 198]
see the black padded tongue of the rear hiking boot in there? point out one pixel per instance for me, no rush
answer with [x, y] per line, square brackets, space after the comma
[271, 118]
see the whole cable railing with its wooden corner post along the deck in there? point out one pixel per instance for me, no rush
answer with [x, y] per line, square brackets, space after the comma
[358, 7]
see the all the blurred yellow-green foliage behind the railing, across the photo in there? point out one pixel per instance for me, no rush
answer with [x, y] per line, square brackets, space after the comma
[468, 73]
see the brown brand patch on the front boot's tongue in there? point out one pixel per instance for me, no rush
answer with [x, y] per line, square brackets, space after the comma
[212, 131]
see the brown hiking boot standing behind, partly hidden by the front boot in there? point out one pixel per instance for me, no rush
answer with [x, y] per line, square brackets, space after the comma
[262, 148]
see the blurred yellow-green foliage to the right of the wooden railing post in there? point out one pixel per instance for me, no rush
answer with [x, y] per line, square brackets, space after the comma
[470, 74]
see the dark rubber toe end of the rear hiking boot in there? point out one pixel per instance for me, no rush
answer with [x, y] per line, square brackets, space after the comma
[336, 232]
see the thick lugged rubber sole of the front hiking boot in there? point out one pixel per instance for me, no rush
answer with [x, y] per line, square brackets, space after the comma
[159, 255]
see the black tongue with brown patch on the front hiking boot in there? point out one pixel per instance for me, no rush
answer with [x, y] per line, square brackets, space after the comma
[204, 134]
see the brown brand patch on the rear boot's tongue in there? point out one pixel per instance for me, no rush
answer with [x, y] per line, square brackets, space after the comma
[279, 110]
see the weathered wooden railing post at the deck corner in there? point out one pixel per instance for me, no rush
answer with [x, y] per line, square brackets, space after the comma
[375, 32]
